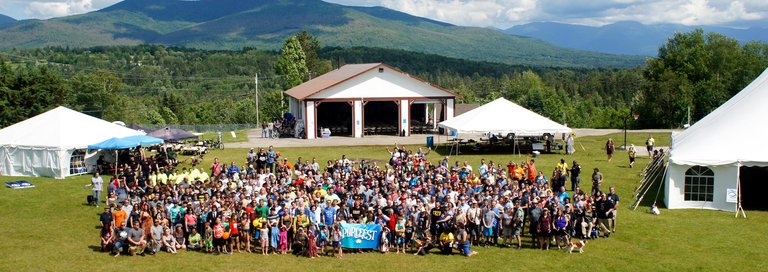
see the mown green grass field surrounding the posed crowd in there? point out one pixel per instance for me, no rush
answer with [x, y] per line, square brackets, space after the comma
[49, 228]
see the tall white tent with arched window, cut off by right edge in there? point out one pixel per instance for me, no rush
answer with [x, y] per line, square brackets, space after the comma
[705, 159]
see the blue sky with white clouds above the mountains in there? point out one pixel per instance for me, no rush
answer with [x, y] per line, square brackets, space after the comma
[497, 13]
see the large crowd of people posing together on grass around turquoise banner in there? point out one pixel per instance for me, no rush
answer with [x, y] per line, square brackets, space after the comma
[270, 205]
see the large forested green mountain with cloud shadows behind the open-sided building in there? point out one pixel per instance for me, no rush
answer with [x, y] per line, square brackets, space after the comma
[265, 24]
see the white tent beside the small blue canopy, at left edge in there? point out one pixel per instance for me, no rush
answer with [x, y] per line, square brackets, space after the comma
[44, 144]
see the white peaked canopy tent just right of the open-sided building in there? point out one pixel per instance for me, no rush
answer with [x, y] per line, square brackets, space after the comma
[502, 116]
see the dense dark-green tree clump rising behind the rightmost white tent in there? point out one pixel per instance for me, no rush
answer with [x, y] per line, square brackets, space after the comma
[697, 71]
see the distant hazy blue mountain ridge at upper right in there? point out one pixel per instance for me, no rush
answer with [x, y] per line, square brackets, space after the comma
[631, 38]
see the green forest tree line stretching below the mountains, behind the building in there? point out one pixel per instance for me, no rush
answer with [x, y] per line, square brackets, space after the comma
[153, 84]
